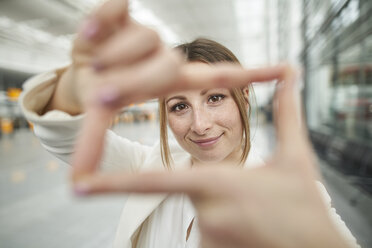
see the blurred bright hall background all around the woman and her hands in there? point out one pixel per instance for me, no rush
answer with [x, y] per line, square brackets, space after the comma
[331, 40]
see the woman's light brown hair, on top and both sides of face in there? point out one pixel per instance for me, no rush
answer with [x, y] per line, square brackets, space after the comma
[208, 51]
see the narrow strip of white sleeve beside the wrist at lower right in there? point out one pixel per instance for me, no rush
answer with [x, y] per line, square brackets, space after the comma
[336, 219]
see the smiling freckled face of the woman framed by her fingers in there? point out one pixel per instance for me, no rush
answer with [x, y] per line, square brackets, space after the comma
[206, 123]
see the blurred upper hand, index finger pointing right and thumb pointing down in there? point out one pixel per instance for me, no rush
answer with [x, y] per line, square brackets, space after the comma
[117, 61]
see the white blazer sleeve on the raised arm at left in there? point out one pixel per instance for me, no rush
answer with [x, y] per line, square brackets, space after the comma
[58, 130]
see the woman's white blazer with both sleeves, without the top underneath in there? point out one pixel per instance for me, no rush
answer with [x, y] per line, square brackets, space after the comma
[57, 132]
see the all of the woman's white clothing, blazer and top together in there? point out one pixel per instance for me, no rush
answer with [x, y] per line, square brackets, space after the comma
[157, 220]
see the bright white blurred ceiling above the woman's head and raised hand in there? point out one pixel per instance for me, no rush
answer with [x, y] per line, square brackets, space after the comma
[35, 35]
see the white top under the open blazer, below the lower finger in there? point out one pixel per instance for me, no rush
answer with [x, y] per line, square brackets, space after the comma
[167, 226]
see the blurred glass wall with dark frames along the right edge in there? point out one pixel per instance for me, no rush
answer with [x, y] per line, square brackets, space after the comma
[338, 65]
